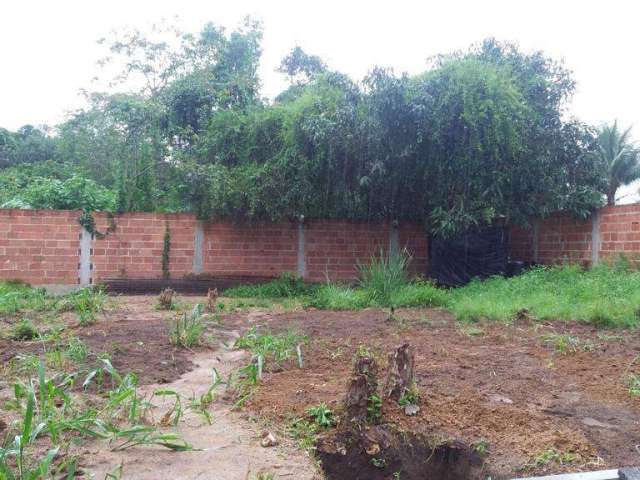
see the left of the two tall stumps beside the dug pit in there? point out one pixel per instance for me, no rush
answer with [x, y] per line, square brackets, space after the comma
[363, 384]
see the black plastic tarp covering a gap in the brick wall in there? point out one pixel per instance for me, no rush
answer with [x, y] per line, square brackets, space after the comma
[478, 253]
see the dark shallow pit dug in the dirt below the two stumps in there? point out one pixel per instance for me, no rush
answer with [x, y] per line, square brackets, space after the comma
[382, 452]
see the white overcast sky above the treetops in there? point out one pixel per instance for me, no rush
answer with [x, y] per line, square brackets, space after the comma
[48, 48]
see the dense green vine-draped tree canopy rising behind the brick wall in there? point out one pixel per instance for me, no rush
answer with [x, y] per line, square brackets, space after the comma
[480, 136]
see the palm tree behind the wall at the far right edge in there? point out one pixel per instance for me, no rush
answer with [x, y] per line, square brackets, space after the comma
[619, 155]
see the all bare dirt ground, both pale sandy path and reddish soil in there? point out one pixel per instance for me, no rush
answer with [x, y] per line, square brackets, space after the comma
[501, 386]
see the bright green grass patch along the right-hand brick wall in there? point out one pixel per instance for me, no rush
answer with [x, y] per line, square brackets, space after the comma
[606, 295]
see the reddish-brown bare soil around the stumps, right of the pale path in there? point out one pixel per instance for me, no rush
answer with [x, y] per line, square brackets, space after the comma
[493, 385]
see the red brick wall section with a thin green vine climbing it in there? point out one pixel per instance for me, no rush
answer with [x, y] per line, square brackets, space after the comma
[134, 248]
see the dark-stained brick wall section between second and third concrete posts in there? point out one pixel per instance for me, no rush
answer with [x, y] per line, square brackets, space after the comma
[257, 249]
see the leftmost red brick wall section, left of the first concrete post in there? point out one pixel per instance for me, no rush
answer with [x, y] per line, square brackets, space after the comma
[39, 246]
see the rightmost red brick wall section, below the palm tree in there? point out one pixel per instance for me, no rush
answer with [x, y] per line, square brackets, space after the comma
[620, 231]
